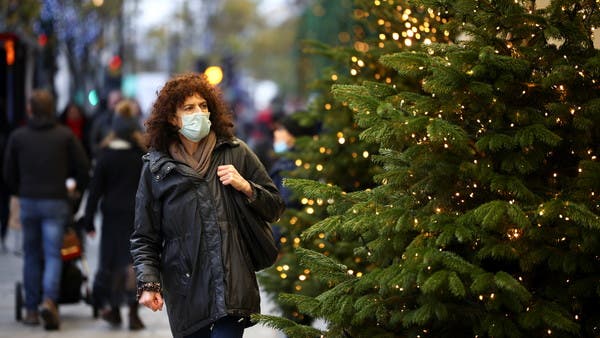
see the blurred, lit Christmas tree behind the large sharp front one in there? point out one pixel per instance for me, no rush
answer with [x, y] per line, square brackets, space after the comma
[334, 154]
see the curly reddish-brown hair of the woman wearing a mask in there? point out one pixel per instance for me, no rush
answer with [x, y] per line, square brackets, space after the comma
[161, 132]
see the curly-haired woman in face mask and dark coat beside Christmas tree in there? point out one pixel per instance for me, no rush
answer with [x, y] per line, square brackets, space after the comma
[186, 245]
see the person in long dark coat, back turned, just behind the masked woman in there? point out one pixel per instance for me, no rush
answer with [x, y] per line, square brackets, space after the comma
[114, 184]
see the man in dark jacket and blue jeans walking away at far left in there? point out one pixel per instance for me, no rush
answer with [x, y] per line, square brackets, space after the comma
[38, 160]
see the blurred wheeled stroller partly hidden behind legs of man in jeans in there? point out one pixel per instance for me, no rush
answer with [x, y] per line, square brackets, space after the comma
[74, 278]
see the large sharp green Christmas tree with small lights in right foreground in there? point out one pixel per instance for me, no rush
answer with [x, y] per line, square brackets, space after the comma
[485, 218]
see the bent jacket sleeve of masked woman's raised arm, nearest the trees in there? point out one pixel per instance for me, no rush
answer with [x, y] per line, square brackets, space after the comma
[266, 200]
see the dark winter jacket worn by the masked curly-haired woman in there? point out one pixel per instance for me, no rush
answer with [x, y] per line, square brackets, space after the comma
[186, 235]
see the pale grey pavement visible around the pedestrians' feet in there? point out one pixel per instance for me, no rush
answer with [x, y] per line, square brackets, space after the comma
[77, 320]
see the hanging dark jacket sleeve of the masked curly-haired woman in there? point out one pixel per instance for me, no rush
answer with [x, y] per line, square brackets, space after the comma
[146, 241]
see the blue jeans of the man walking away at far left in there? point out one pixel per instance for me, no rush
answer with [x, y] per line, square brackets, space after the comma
[43, 222]
